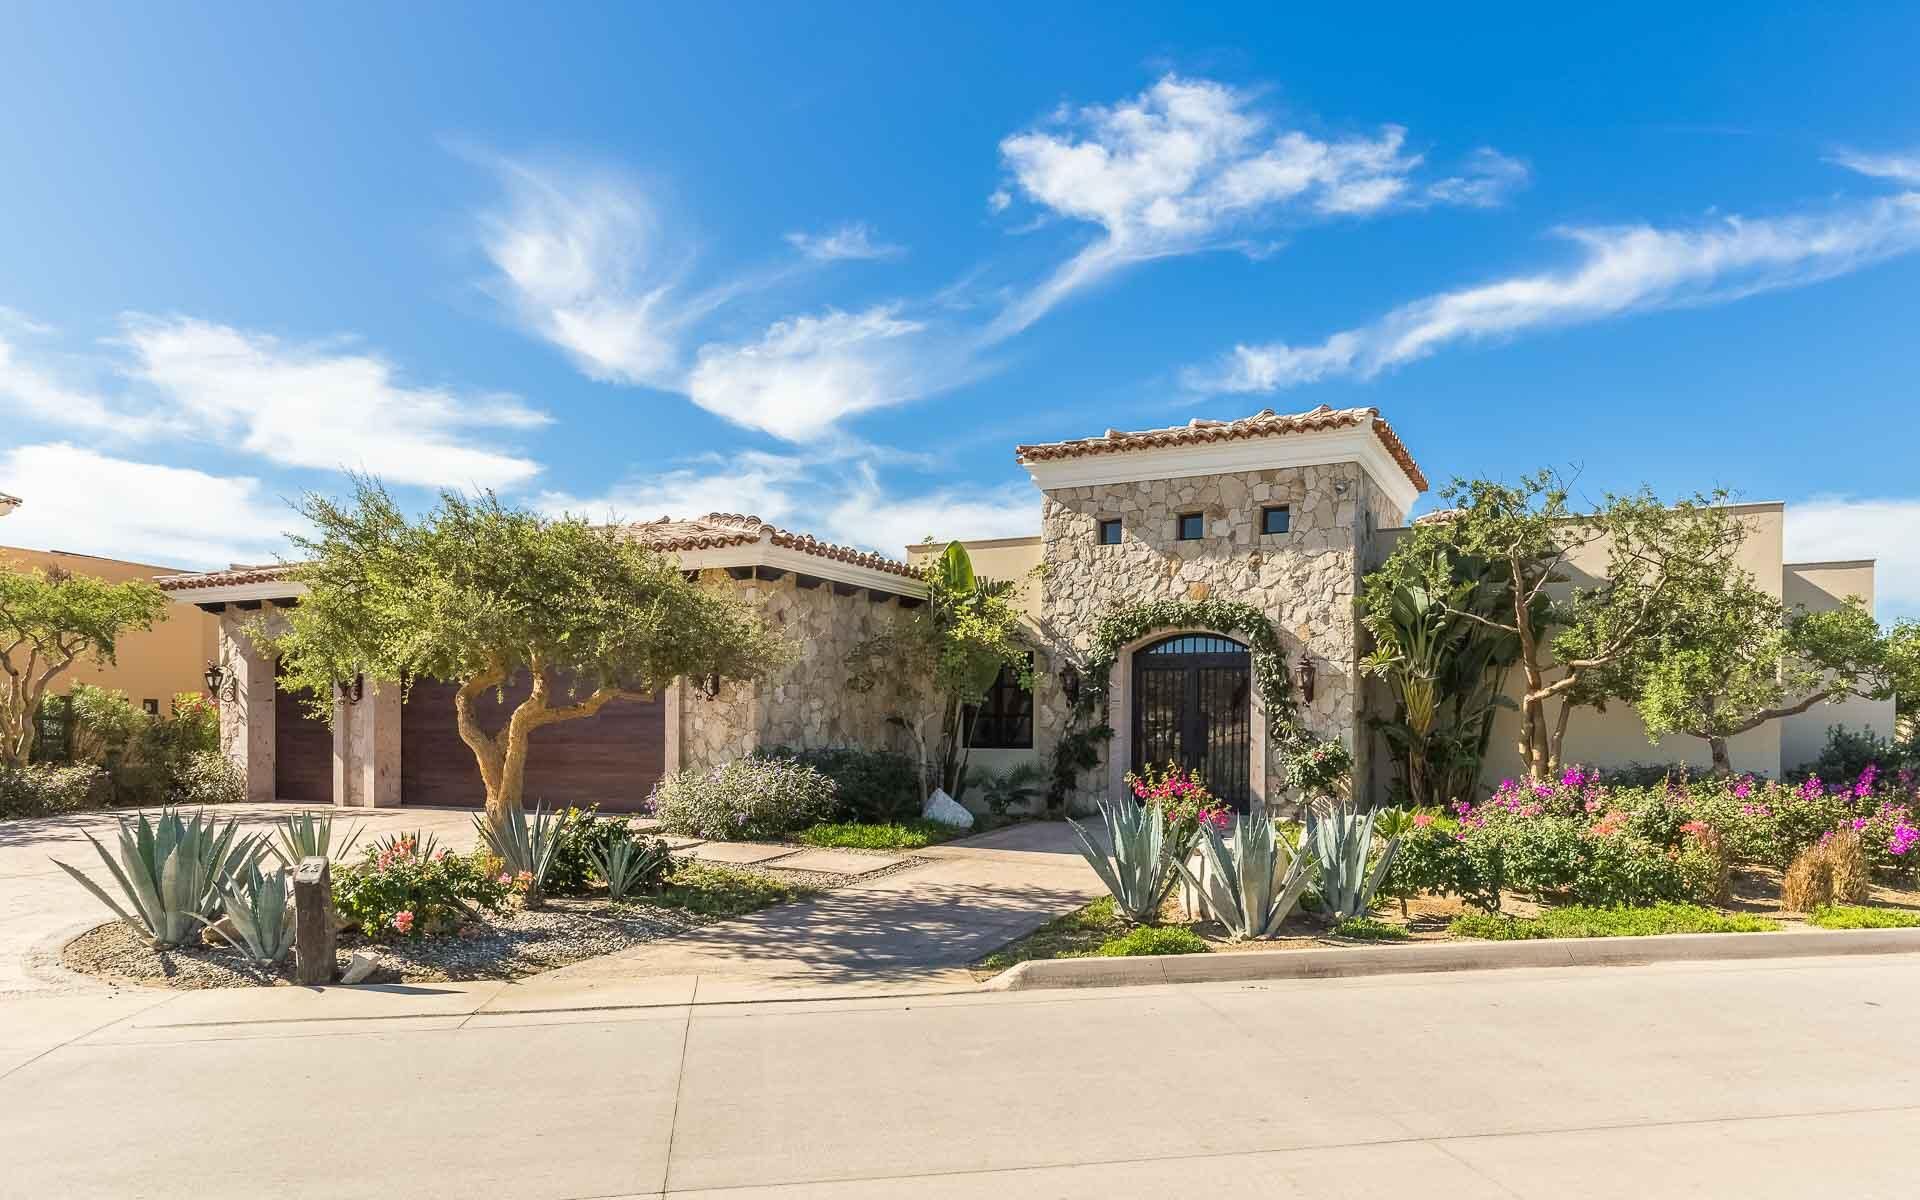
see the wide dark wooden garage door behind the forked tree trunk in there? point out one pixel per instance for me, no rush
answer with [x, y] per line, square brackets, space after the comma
[612, 759]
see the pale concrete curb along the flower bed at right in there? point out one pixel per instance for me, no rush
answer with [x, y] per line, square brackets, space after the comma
[1449, 957]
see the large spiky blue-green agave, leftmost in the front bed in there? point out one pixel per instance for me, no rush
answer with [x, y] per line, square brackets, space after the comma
[172, 873]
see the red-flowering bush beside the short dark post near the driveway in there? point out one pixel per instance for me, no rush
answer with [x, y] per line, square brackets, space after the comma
[406, 888]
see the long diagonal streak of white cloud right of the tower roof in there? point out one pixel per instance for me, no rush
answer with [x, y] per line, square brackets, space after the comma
[1621, 270]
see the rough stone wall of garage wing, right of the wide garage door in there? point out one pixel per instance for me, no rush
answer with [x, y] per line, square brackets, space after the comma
[805, 704]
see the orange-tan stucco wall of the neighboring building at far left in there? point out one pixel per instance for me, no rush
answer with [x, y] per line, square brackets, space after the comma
[153, 665]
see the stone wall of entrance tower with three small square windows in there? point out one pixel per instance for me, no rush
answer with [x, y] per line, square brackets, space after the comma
[1305, 581]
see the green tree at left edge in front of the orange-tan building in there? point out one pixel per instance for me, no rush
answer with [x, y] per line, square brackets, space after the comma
[49, 621]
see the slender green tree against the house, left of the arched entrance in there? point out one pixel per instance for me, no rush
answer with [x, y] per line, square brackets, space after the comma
[951, 648]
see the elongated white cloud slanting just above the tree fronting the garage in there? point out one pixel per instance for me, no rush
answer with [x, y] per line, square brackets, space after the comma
[324, 406]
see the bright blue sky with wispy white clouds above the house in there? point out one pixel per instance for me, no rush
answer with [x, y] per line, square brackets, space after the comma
[832, 264]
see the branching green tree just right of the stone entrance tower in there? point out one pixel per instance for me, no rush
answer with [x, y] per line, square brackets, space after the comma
[1575, 644]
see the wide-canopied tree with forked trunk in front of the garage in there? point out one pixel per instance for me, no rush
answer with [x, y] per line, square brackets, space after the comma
[479, 594]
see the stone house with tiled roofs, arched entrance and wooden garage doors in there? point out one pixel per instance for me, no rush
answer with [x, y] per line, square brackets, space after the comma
[1285, 514]
